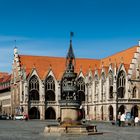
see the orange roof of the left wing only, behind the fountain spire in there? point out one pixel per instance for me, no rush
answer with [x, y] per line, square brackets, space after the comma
[43, 63]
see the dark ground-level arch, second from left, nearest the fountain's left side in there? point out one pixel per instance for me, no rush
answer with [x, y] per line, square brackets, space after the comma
[50, 113]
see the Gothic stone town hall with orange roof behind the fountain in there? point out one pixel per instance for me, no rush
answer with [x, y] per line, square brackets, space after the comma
[105, 87]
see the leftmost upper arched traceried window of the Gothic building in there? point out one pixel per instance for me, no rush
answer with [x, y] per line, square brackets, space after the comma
[34, 88]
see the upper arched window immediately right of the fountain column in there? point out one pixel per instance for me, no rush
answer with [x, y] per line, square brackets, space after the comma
[81, 89]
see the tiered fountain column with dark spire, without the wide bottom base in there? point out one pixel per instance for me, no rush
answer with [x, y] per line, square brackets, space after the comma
[69, 103]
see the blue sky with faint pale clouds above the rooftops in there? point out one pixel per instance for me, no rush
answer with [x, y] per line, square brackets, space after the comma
[42, 27]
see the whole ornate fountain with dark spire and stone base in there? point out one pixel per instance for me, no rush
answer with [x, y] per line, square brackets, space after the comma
[70, 104]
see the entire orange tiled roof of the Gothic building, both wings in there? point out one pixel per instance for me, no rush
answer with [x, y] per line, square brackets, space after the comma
[43, 63]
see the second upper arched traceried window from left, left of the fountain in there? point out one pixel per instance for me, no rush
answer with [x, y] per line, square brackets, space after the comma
[50, 89]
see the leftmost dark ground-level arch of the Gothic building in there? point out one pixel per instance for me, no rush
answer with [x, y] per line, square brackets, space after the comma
[34, 113]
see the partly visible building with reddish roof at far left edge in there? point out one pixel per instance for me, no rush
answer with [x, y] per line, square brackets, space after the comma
[5, 94]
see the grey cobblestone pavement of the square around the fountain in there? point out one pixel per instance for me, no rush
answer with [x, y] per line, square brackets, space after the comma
[33, 130]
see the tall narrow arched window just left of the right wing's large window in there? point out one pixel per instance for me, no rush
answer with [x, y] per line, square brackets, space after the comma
[110, 84]
